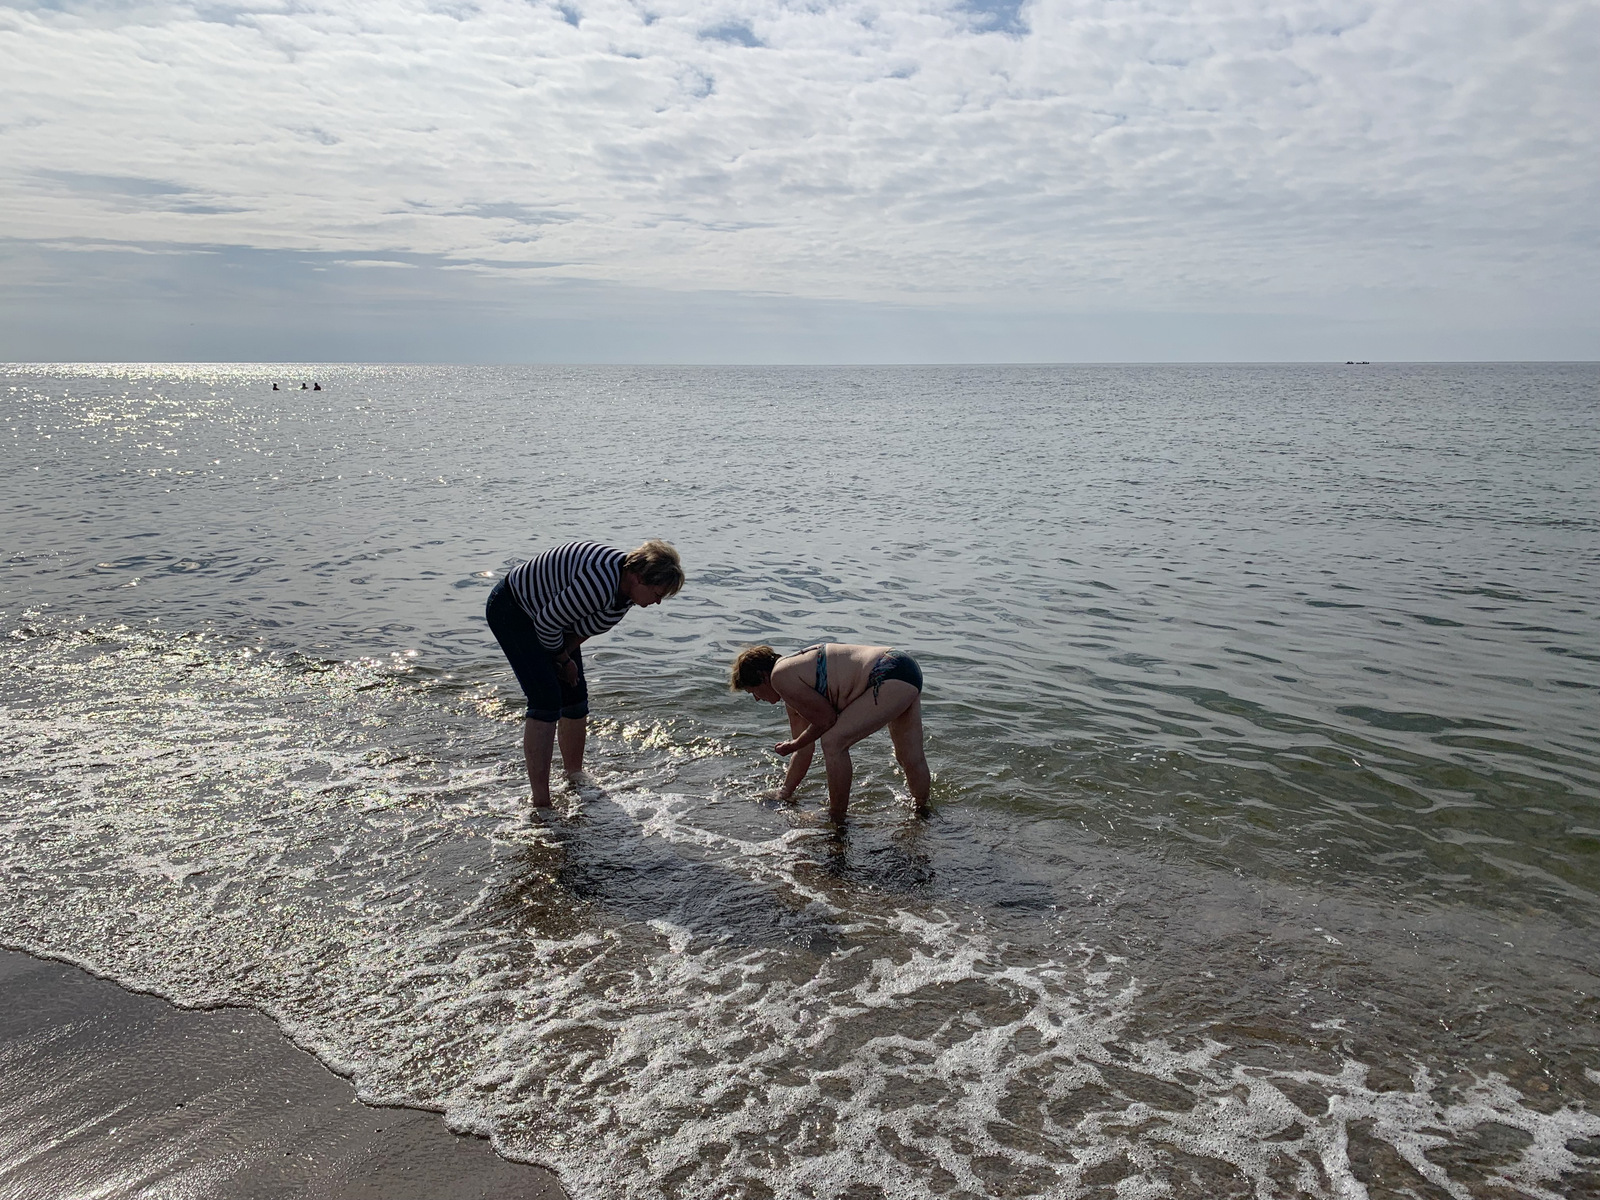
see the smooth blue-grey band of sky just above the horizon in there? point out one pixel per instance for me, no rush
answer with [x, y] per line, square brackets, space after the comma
[161, 303]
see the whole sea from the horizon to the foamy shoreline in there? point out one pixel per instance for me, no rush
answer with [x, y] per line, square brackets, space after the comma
[1263, 705]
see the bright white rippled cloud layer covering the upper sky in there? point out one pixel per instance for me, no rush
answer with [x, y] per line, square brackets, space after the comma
[1057, 156]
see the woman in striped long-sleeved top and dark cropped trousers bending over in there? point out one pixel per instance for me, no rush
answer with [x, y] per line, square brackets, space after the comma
[545, 610]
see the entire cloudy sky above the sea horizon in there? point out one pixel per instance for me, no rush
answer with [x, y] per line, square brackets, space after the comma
[804, 182]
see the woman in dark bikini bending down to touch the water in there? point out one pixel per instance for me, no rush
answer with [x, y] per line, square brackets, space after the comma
[838, 695]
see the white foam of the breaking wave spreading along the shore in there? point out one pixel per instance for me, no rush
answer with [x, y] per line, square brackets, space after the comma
[649, 1004]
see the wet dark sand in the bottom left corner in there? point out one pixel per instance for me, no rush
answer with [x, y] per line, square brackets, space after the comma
[111, 1094]
